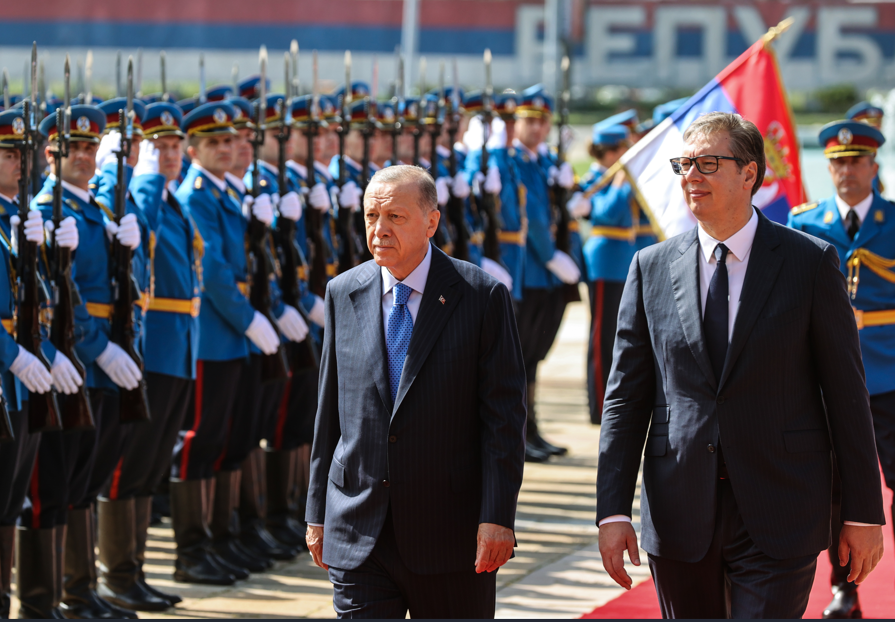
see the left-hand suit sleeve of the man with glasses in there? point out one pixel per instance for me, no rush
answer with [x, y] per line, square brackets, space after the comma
[630, 393]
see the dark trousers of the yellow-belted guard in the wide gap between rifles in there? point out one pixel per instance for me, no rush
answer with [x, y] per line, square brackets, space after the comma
[147, 458]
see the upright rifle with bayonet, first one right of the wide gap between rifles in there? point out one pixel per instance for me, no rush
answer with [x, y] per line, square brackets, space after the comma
[273, 366]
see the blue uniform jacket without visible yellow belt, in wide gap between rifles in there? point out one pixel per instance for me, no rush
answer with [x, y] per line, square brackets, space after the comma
[225, 312]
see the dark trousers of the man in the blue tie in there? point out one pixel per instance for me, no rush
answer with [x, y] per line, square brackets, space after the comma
[383, 587]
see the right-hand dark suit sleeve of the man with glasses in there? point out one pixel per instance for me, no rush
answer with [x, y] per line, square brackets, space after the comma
[837, 353]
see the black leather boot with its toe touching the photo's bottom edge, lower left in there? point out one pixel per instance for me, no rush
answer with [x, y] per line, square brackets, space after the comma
[79, 597]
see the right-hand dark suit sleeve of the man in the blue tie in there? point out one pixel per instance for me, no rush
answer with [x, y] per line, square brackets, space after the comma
[502, 390]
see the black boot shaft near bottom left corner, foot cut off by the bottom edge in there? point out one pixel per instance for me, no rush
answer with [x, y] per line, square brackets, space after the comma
[36, 563]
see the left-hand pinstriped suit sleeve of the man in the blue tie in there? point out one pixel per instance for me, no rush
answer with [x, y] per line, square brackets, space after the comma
[327, 428]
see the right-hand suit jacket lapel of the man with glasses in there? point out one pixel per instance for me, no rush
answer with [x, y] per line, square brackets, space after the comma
[764, 264]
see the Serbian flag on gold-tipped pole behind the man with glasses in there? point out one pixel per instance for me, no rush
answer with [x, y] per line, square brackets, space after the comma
[751, 87]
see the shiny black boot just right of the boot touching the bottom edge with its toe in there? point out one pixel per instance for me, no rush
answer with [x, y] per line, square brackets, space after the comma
[118, 571]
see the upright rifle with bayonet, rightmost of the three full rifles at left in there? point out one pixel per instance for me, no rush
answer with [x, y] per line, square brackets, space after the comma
[133, 403]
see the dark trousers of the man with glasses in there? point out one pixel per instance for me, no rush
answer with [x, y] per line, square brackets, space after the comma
[734, 579]
